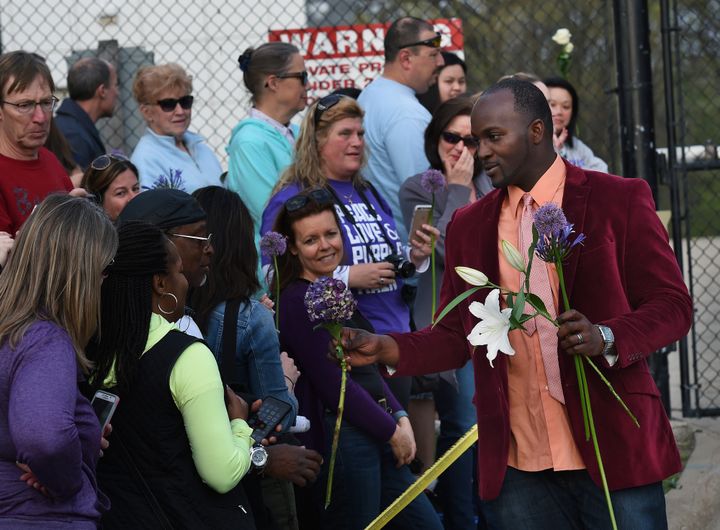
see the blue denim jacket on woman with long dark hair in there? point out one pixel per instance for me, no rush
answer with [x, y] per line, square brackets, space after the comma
[258, 352]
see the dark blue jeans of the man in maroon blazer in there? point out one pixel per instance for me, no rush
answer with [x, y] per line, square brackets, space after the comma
[570, 500]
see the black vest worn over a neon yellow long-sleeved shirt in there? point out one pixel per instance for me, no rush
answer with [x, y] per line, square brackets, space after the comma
[149, 425]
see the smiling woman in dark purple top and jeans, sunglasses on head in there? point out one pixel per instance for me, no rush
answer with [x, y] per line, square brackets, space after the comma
[376, 440]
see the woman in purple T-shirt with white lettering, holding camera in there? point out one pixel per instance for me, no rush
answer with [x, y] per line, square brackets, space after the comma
[329, 154]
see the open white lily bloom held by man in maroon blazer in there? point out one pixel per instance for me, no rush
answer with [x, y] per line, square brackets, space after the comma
[492, 330]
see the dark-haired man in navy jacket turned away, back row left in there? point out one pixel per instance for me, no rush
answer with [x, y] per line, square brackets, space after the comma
[93, 89]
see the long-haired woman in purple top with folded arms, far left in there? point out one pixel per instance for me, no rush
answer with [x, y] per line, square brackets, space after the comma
[50, 304]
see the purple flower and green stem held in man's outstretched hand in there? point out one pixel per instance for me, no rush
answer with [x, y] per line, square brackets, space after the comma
[329, 303]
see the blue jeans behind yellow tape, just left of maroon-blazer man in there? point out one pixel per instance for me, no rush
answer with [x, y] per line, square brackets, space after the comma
[456, 489]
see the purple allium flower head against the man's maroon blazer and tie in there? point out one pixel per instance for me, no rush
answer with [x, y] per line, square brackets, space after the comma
[554, 233]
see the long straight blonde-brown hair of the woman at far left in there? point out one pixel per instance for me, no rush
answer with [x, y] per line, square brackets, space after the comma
[55, 271]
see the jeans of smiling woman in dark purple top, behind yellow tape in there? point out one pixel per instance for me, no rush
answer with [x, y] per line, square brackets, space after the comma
[366, 481]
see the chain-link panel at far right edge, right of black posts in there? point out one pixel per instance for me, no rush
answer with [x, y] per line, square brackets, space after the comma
[696, 28]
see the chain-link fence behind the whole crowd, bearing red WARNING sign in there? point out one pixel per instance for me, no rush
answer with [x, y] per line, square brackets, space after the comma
[342, 43]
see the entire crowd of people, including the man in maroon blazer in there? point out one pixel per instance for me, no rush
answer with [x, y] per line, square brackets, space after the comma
[141, 277]
